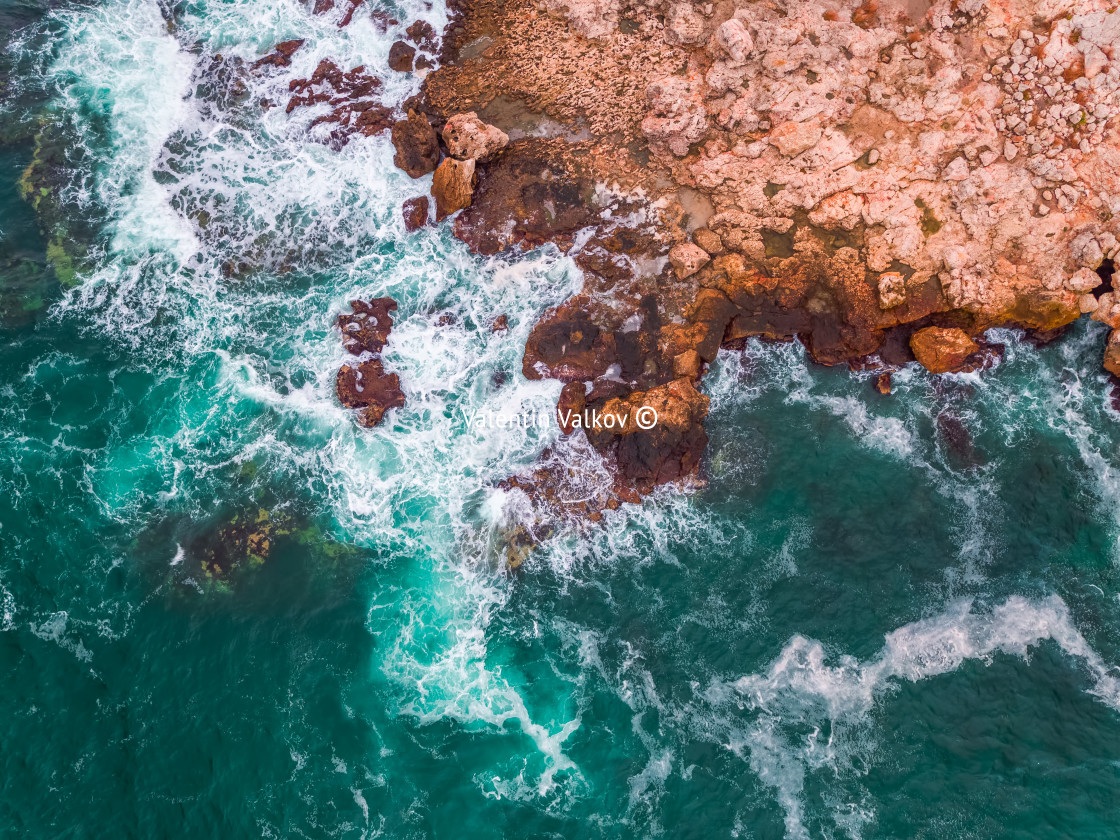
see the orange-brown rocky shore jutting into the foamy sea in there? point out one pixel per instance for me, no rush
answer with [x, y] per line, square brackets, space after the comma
[882, 181]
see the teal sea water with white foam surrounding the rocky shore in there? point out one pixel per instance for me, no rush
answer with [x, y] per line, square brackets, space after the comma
[883, 618]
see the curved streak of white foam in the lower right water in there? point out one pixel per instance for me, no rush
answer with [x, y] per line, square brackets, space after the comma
[808, 689]
